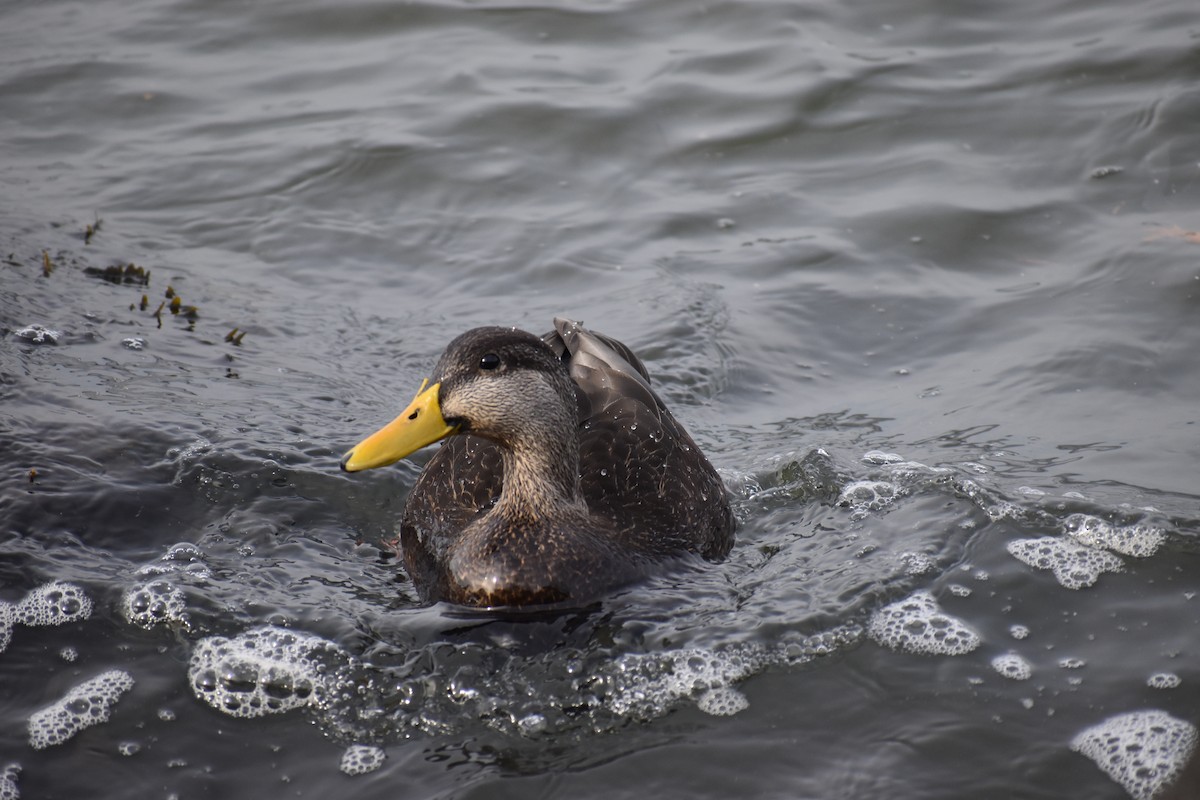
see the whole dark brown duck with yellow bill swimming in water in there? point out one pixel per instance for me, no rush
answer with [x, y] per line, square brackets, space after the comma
[563, 477]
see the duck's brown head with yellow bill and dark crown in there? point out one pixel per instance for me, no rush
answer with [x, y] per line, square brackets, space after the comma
[499, 383]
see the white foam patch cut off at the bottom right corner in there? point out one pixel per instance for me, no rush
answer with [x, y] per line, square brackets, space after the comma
[1143, 751]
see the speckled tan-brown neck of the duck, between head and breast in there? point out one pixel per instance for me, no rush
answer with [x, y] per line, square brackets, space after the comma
[542, 479]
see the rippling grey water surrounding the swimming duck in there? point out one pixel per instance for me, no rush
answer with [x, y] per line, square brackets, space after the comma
[921, 280]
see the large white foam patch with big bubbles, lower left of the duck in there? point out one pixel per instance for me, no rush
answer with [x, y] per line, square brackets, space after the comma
[263, 671]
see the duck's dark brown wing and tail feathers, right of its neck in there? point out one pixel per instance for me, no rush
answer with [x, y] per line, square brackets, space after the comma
[639, 468]
